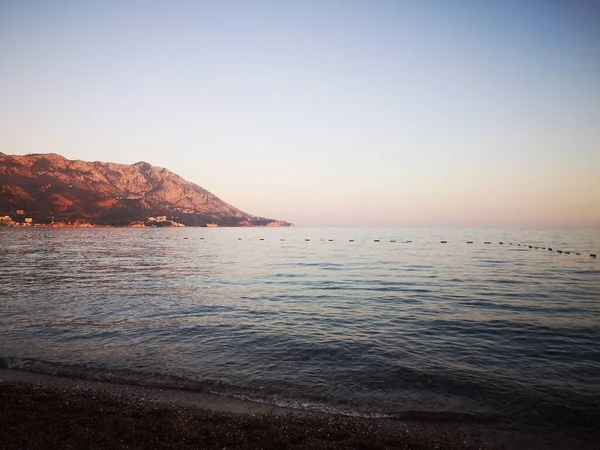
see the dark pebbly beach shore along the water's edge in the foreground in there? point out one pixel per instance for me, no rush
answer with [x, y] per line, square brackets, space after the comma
[39, 411]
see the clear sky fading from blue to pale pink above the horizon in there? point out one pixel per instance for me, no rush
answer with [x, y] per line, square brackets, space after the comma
[323, 113]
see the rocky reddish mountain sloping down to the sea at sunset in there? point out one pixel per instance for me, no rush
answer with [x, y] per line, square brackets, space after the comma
[50, 188]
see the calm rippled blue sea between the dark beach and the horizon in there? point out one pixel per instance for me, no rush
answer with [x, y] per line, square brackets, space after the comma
[306, 318]
